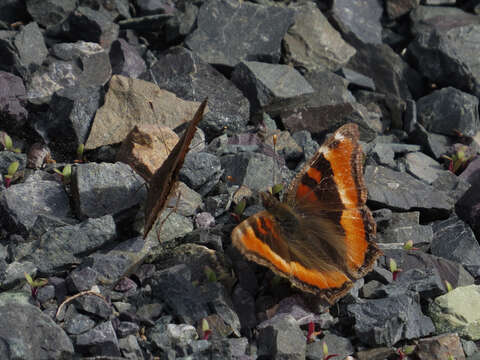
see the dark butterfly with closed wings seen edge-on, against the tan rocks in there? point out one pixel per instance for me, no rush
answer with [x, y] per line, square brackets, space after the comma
[163, 179]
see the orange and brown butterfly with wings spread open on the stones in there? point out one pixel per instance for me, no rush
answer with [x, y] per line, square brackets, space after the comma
[321, 235]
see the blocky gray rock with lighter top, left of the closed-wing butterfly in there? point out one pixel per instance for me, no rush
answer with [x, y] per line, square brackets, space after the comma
[100, 189]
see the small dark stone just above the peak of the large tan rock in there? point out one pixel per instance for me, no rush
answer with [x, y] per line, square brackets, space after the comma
[125, 60]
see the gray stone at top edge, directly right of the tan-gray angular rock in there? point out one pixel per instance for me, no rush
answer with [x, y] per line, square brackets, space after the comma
[359, 18]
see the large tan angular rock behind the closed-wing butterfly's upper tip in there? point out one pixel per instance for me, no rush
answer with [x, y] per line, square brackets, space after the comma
[129, 102]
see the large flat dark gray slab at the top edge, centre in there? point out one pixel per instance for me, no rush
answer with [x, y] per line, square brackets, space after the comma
[227, 32]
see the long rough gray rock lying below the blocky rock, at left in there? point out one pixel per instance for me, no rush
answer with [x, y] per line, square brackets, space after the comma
[60, 247]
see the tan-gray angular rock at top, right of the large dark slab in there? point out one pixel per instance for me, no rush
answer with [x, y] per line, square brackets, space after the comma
[305, 49]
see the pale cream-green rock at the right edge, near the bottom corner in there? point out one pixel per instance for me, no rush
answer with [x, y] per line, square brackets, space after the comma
[458, 311]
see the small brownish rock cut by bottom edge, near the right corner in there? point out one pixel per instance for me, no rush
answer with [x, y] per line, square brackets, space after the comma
[440, 347]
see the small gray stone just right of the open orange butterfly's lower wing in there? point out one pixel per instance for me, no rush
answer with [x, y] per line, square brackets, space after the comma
[404, 227]
